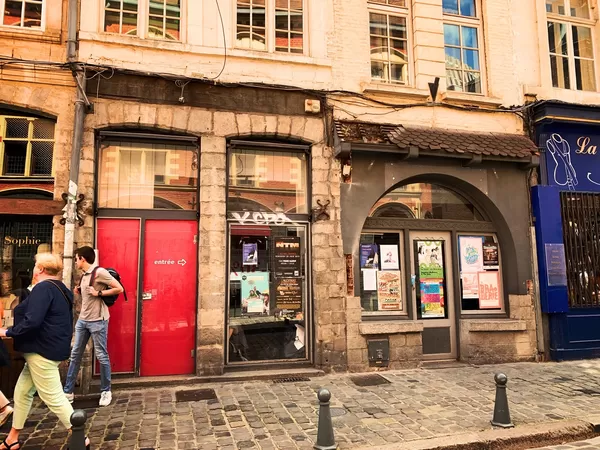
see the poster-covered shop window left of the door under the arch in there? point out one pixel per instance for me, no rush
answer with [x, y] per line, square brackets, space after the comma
[381, 277]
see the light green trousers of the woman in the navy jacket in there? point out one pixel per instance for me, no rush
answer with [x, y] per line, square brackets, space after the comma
[41, 375]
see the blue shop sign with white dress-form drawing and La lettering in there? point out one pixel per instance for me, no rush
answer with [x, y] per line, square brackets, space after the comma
[571, 156]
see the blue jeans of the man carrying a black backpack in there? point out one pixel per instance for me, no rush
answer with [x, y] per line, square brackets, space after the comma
[98, 330]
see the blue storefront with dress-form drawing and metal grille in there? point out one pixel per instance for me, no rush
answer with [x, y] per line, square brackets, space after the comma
[566, 210]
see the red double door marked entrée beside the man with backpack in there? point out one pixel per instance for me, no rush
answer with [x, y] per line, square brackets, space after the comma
[154, 332]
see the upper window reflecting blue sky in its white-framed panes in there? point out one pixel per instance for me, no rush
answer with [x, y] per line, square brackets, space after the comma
[462, 26]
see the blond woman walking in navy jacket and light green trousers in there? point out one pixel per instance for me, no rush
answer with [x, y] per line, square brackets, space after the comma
[42, 332]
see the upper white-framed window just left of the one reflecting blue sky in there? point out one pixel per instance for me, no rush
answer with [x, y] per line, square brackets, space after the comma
[388, 35]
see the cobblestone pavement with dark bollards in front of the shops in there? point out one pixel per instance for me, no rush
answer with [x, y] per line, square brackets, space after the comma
[416, 404]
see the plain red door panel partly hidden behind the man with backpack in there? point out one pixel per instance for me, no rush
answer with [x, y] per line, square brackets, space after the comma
[118, 243]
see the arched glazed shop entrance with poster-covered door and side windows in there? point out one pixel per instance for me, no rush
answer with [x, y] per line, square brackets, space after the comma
[431, 254]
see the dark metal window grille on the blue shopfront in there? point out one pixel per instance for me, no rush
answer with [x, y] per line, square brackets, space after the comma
[581, 232]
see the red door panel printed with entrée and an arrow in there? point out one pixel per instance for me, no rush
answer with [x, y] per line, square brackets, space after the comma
[169, 298]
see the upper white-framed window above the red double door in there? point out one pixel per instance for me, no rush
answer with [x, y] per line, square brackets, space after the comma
[155, 19]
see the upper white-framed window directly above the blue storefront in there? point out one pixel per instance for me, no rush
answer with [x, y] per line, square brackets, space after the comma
[570, 42]
